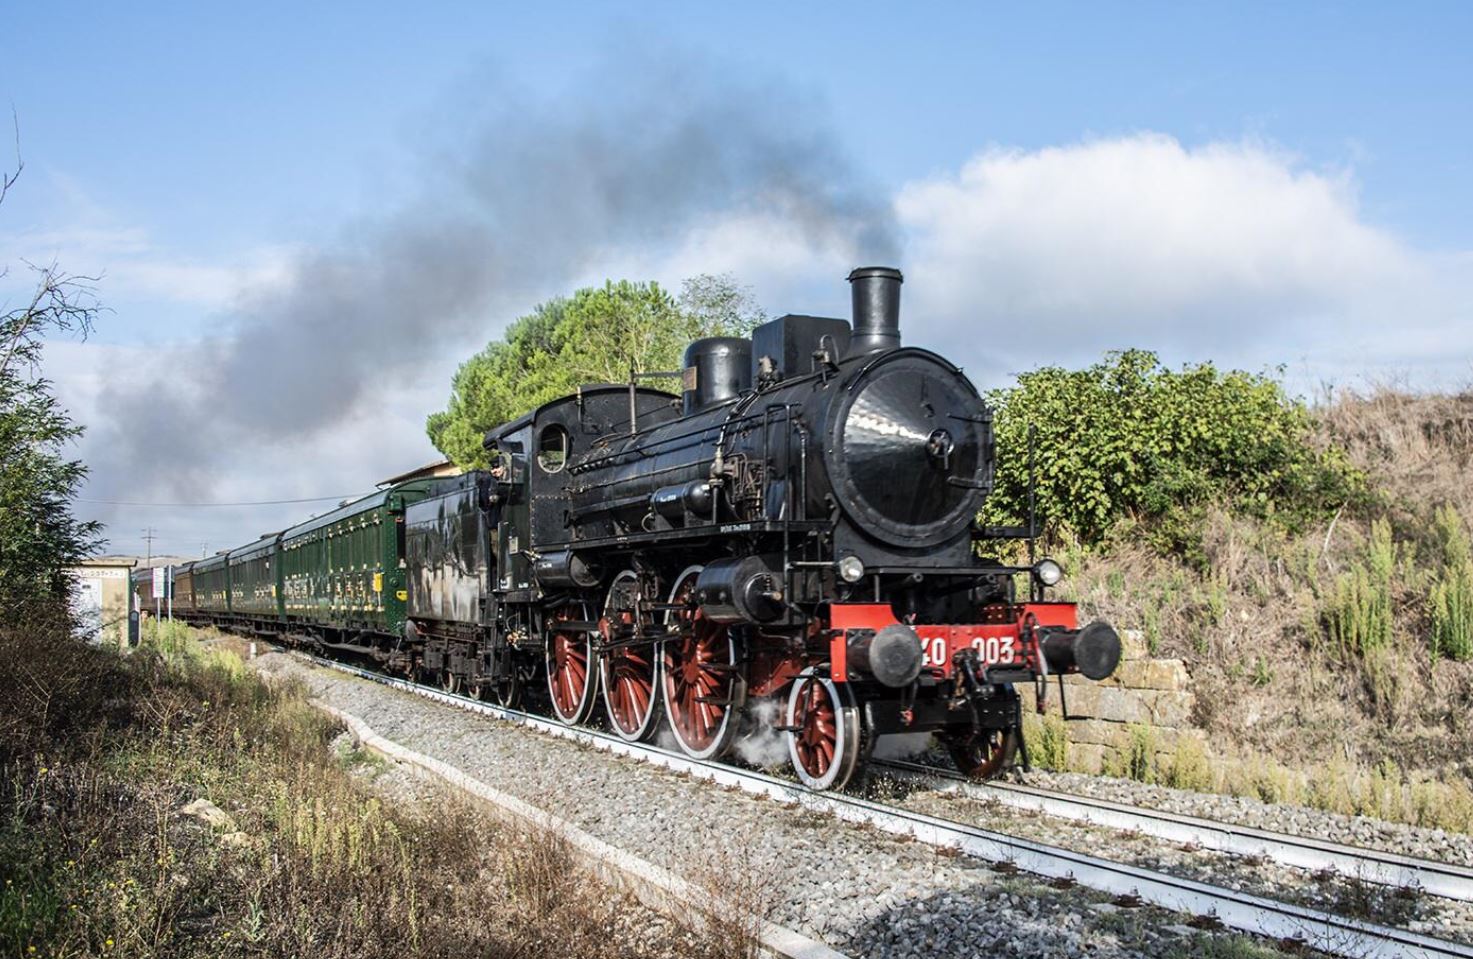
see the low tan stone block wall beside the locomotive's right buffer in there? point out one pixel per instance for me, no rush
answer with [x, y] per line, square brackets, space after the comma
[1147, 695]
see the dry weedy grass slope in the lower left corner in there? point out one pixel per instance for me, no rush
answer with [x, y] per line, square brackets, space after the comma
[101, 753]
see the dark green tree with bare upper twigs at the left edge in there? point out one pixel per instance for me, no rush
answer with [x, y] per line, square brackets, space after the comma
[39, 535]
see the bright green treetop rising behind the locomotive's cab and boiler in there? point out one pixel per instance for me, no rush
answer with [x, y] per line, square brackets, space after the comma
[593, 337]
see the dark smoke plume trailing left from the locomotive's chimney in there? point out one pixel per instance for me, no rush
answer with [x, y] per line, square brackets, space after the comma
[525, 194]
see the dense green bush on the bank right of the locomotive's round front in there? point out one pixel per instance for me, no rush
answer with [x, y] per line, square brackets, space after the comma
[1131, 440]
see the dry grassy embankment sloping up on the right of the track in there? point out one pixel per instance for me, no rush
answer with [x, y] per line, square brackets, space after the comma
[1331, 668]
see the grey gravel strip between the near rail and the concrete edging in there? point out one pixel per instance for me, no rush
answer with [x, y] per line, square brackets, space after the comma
[861, 892]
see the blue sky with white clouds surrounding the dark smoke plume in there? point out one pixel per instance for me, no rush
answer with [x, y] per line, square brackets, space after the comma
[194, 152]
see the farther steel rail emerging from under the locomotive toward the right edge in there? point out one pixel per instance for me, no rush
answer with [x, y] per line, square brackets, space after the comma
[1435, 879]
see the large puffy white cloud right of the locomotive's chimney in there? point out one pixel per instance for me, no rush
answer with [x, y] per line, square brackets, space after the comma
[1231, 253]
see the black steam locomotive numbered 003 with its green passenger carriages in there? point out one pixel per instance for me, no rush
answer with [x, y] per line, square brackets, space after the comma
[790, 546]
